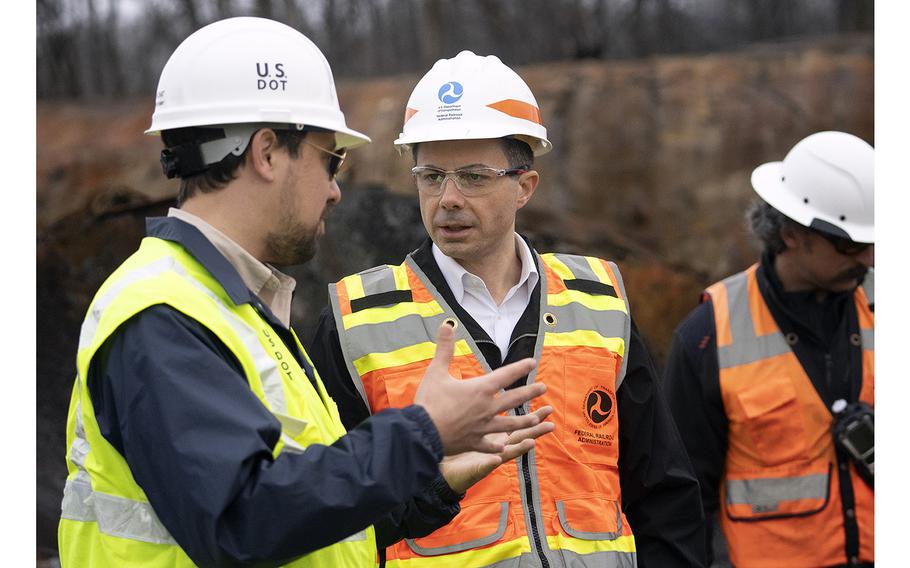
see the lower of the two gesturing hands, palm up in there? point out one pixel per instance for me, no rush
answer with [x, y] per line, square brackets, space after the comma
[464, 470]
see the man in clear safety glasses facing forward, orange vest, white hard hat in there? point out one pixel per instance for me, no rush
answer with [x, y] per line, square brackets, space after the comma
[612, 486]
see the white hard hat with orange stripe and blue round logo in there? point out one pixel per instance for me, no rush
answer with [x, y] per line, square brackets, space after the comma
[472, 97]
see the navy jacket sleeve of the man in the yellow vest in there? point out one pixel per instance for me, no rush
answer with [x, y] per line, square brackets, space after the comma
[171, 398]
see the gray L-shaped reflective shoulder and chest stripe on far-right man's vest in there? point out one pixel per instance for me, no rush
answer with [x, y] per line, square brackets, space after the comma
[746, 347]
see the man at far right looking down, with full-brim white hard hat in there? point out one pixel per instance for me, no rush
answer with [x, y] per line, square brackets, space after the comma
[771, 378]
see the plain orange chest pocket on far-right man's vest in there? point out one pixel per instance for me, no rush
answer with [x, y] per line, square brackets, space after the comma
[774, 420]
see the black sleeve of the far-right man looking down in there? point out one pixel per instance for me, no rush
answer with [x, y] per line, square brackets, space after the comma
[692, 385]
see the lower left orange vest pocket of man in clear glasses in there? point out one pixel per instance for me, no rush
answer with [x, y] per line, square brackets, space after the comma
[475, 526]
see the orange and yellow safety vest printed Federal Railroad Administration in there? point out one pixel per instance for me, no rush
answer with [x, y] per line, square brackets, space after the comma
[561, 501]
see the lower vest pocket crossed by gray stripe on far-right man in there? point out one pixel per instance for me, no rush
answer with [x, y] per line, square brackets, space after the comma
[797, 495]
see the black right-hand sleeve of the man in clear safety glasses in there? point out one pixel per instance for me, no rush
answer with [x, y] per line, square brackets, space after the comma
[660, 494]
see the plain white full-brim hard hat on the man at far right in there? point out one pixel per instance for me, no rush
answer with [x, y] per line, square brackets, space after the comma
[826, 182]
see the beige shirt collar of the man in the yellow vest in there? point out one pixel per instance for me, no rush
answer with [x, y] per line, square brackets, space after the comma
[273, 287]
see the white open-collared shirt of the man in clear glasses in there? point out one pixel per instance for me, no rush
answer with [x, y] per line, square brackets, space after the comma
[472, 294]
